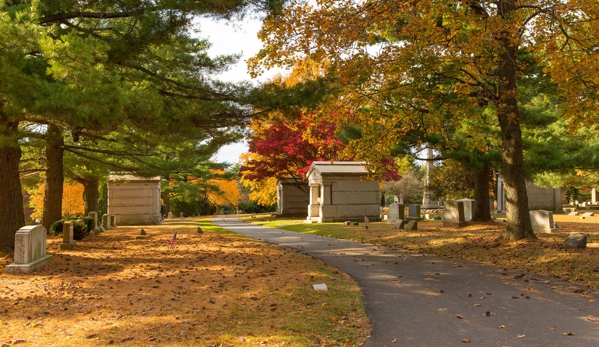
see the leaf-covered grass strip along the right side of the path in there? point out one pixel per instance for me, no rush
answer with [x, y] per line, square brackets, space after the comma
[479, 242]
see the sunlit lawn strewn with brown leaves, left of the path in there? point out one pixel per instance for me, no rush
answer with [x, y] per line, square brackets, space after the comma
[214, 289]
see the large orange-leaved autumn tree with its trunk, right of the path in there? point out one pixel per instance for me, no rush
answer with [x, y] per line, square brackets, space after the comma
[444, 60]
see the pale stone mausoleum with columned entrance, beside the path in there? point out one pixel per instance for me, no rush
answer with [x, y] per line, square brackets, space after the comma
[340, 191]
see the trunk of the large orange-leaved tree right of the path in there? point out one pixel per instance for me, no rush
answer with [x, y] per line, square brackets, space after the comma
[518, 218]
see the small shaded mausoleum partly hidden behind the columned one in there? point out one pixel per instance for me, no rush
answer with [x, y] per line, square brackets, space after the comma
[292, 197]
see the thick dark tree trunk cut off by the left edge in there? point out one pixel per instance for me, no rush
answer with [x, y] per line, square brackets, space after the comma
[12, 217]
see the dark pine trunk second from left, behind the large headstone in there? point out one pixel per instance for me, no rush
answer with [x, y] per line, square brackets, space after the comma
[54, 176]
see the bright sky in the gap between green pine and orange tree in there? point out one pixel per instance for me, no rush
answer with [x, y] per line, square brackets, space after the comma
[240, 37]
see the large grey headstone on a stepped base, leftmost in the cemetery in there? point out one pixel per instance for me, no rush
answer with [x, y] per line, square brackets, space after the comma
[30, 250]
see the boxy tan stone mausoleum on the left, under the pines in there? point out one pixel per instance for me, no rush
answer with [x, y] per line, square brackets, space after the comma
[134, 200]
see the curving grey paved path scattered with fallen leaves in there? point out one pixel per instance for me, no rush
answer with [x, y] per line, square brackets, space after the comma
[423, 300]
